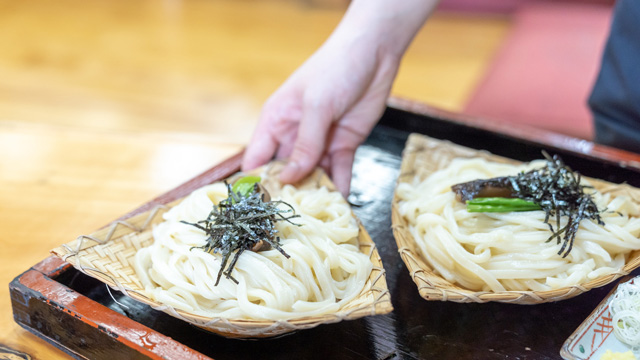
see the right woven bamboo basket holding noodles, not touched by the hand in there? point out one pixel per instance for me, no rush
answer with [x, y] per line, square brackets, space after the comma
[421, 157]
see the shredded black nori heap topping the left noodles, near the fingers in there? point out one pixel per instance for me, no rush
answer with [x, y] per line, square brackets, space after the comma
[238, 223]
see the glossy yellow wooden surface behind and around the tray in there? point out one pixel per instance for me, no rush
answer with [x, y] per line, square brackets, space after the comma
[106, 104]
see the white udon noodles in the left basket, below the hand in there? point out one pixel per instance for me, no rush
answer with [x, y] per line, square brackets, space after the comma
[325, 269]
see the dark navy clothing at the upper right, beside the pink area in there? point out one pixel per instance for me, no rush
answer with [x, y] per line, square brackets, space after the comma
[615, 100]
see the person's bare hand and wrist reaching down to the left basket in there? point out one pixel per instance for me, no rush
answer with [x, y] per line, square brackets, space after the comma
[326, 109]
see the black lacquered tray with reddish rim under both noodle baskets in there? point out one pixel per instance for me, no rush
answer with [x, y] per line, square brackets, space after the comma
[416, 329]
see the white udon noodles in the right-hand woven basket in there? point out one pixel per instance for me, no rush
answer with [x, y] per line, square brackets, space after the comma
[508, 251]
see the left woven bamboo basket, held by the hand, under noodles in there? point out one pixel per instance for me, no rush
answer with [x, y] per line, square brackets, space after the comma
[108, 254]
